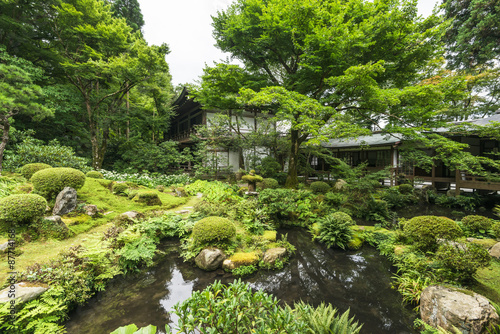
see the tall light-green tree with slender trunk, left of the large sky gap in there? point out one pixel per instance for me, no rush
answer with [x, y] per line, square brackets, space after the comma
[103, 59]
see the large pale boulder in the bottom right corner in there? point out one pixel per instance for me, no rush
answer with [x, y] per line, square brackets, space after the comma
[447, 307]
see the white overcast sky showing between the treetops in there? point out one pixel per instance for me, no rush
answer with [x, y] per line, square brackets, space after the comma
[186, 27]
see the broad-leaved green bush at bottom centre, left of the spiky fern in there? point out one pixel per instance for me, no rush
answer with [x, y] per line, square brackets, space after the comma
[232, 309]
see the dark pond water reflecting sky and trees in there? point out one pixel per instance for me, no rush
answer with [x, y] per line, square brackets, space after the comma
[359, 280]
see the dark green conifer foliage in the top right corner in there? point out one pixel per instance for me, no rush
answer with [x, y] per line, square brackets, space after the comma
[473, 38]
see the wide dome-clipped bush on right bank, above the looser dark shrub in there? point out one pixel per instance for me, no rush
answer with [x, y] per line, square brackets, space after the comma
[425, 230]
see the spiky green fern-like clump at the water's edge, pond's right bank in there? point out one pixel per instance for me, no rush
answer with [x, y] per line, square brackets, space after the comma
[335, 230]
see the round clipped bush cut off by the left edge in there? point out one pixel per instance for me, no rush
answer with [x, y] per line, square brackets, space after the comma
[22, 209]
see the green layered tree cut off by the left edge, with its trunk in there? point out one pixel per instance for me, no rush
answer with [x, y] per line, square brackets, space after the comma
[18, 93]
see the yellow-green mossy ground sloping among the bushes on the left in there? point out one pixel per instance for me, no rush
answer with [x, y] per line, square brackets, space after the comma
[85, 228]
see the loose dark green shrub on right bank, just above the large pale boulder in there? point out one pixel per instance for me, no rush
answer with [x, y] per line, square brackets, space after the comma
[463, 260]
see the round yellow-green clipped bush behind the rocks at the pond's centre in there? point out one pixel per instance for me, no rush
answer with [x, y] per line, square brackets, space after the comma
[213, 229]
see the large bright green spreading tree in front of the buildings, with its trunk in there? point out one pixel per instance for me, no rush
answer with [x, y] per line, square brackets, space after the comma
[327, 59]
